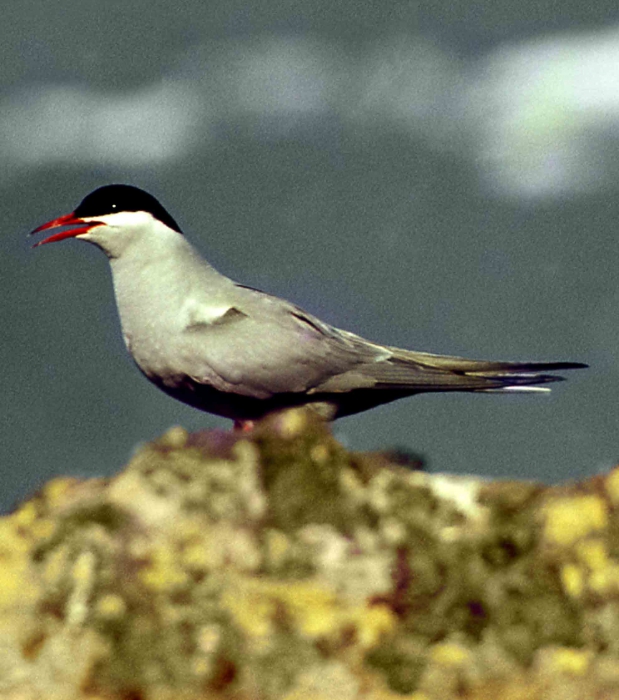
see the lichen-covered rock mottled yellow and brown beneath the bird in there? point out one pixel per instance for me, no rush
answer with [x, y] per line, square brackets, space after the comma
[276, 564]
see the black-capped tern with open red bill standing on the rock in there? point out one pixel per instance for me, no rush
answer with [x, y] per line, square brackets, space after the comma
[238, 352]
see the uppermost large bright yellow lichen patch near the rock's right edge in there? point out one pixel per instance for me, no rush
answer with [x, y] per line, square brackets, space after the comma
[569, 519]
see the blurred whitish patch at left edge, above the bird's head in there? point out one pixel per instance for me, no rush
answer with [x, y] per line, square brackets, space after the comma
[68, 124]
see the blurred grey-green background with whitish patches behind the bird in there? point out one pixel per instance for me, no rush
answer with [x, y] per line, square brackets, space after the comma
[441, 176]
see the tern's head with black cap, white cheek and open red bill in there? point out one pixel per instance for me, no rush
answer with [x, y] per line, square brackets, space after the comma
[112, 217]
